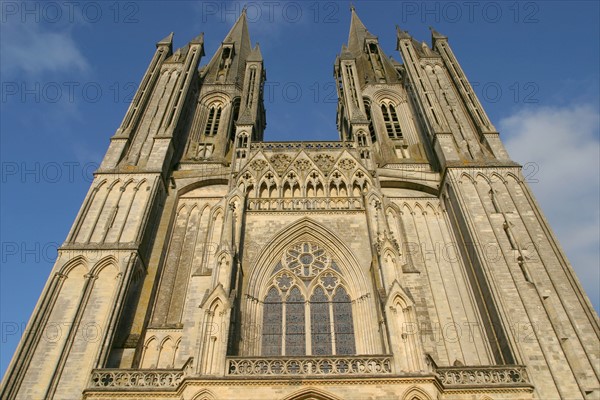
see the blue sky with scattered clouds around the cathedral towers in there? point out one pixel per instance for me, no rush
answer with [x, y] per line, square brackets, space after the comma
[69, 69]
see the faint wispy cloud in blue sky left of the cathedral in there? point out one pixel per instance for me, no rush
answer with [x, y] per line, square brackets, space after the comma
[30, 48]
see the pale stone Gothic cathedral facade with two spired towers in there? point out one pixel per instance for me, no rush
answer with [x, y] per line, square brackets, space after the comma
[407, 261]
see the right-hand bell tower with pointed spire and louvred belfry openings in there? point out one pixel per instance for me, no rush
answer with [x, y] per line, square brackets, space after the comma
[374, 110]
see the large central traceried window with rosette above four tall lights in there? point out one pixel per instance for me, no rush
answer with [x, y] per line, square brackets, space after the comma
[307, 309]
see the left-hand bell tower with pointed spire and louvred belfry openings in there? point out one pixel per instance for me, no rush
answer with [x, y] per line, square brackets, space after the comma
[229, 112]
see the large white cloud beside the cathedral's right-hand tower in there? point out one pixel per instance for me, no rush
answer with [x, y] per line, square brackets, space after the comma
[560, 150]
